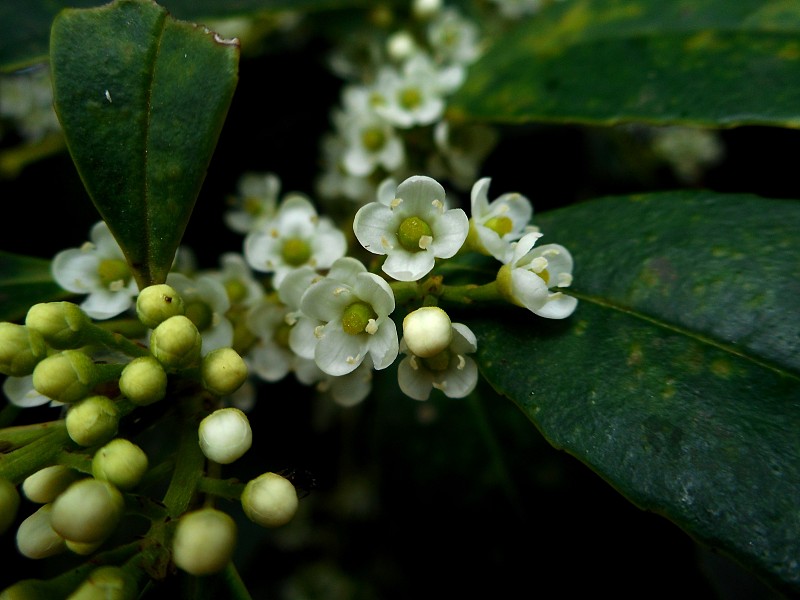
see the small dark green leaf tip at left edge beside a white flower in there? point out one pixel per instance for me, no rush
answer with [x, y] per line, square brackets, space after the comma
[24, 281]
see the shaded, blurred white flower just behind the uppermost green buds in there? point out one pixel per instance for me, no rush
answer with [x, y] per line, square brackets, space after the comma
[206, 303]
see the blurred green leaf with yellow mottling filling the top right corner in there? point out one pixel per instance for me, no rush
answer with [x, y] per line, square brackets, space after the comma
[702, 62]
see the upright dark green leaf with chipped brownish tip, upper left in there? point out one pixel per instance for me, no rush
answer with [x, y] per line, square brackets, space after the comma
[141, 98]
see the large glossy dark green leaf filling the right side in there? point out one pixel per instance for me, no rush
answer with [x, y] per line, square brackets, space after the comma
[677, 379]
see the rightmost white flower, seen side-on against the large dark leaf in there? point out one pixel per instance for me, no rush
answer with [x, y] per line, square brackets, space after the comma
[530, 273]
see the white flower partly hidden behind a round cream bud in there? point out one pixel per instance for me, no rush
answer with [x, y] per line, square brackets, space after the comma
[451, 370]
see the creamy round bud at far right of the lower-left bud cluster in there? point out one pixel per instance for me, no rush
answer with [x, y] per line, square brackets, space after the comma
[269, 500]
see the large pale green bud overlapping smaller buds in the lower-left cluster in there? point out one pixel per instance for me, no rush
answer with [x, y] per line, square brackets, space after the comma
[88, 511]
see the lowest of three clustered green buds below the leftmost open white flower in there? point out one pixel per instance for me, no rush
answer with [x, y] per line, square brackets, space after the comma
[67, 376]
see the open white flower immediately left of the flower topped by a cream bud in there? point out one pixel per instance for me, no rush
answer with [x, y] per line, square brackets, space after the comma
[355, 306]
